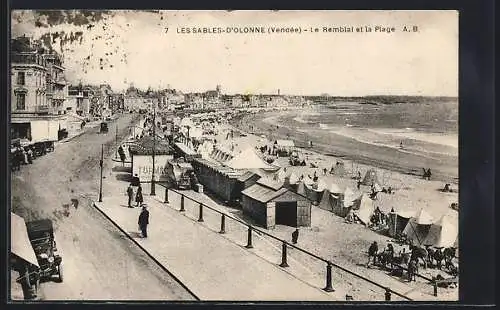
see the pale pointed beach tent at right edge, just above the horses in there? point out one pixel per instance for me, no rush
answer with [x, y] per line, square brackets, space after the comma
[443, 233]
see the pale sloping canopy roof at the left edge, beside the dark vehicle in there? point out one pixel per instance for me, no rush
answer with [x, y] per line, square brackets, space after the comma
[20, 242]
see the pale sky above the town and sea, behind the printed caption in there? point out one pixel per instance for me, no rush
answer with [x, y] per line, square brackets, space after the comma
[134, 47]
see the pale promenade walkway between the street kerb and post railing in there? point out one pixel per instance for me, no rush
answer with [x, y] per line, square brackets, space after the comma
[212, 267]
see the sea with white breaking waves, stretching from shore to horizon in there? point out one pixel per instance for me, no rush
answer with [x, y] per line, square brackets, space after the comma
[407, 135]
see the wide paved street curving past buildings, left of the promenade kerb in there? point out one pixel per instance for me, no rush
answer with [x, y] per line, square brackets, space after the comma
[99, 261]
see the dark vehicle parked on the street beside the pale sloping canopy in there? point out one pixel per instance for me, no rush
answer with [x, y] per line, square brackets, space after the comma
[41, 235]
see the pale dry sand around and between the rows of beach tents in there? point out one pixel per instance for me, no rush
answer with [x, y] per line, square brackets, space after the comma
[346, 244]
